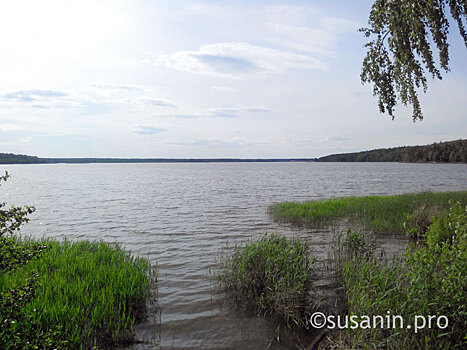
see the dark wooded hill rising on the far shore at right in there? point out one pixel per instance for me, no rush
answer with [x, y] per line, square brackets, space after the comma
[443, 152]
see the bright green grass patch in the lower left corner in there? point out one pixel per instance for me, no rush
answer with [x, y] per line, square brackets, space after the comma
[83, 293]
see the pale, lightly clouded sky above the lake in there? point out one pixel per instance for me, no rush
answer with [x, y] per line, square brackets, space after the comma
[203, 79]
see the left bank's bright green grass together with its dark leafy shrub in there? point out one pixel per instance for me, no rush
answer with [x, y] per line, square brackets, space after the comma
[66, 295]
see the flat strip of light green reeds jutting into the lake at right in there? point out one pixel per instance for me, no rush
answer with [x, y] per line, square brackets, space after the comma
[377, 213]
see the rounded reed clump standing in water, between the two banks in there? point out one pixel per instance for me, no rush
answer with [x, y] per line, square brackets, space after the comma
[274, 274]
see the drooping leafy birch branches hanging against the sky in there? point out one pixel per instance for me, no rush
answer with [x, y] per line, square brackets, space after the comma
[400, 55]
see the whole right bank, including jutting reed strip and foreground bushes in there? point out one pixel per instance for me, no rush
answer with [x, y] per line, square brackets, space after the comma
[428, 281]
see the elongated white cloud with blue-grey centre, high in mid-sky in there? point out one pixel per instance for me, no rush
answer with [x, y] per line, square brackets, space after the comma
[237, 60]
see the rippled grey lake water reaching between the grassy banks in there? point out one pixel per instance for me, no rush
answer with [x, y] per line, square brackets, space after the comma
[181, 215]
